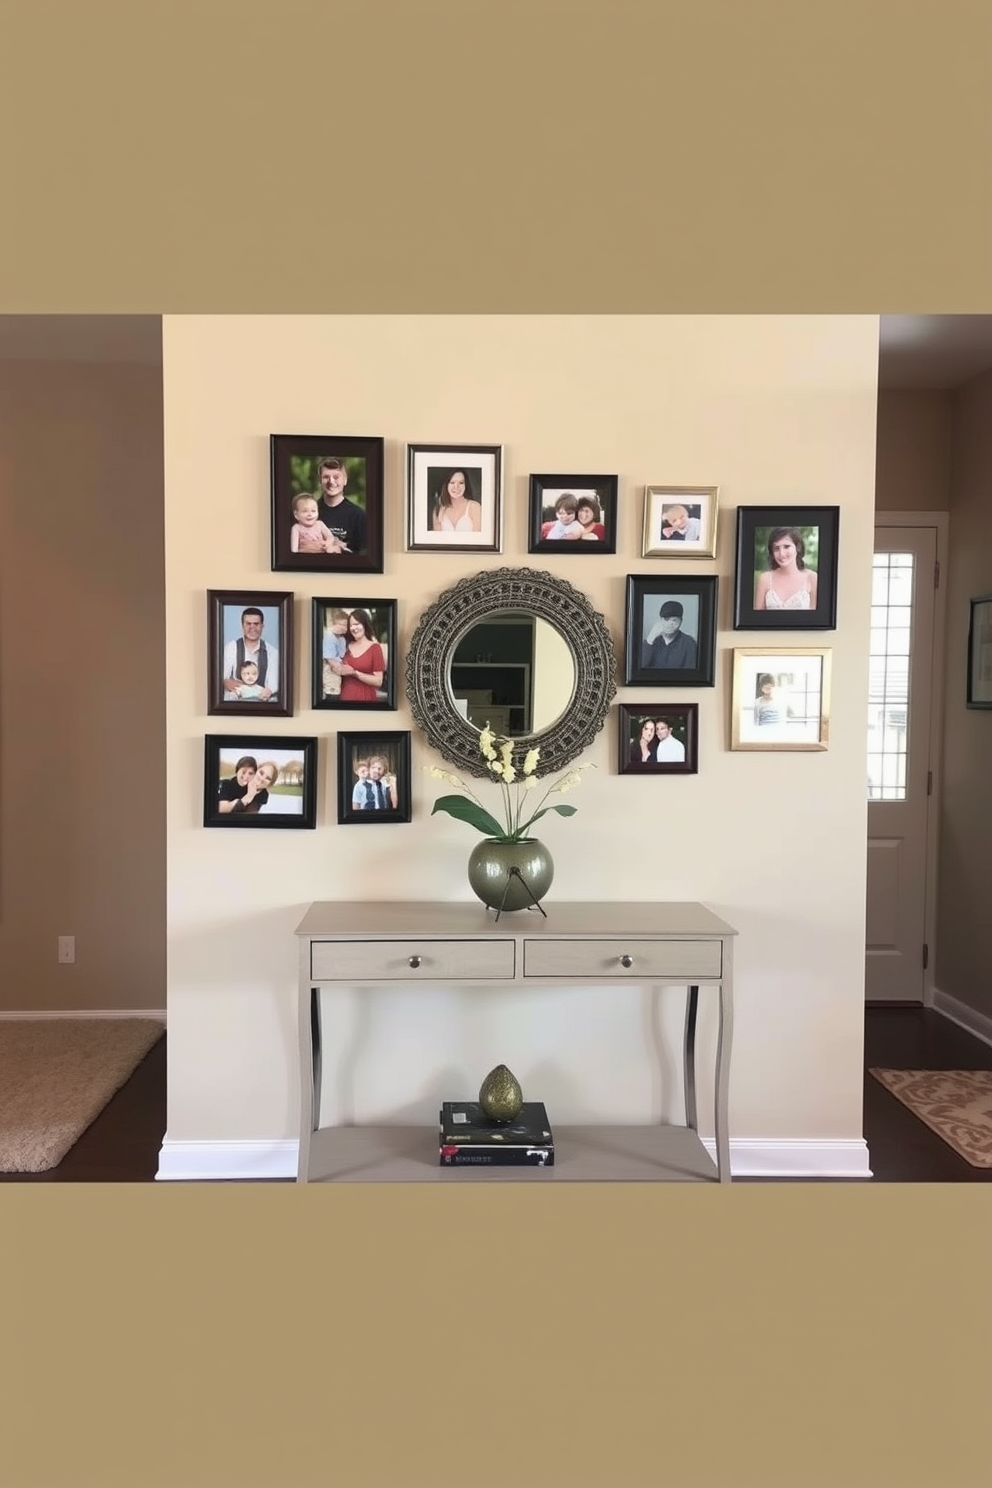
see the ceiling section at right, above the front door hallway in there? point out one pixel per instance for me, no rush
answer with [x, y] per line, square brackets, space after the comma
[933, 352]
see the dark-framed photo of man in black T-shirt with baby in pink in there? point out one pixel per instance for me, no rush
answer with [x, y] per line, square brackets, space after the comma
[326, 504]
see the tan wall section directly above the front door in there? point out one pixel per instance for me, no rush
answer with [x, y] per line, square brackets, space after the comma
[914, 452]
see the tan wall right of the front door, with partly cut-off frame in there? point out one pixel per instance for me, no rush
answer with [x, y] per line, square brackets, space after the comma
[963, 965]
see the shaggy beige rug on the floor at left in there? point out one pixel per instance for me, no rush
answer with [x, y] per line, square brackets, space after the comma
[56, 1078]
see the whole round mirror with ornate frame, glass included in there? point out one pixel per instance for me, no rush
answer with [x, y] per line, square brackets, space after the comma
[518, 650]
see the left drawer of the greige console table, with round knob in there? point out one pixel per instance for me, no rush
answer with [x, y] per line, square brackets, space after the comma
[408, 961]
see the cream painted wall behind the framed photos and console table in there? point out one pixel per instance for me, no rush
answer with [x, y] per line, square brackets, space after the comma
[770, 408]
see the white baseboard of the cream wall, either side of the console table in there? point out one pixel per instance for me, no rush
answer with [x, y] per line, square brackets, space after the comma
[750, 1158]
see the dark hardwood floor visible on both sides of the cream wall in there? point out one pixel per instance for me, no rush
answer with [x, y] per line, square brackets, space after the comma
[123, 1145]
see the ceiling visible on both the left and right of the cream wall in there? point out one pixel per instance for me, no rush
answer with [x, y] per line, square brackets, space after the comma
[923, 352]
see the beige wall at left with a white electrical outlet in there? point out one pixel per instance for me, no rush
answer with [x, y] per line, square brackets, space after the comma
[83, 687]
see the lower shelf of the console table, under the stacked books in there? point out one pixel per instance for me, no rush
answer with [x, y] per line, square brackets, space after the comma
[582, 1155]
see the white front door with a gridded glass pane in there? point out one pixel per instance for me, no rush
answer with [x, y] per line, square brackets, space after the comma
[901, 685]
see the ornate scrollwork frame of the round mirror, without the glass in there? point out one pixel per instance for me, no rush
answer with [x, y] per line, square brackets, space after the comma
[477, 597]
